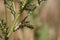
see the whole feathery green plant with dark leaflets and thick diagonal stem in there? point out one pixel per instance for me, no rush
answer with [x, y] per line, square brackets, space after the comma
[27, 5]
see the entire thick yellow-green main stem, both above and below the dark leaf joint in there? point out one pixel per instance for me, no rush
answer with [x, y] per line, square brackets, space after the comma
[15, 20]
